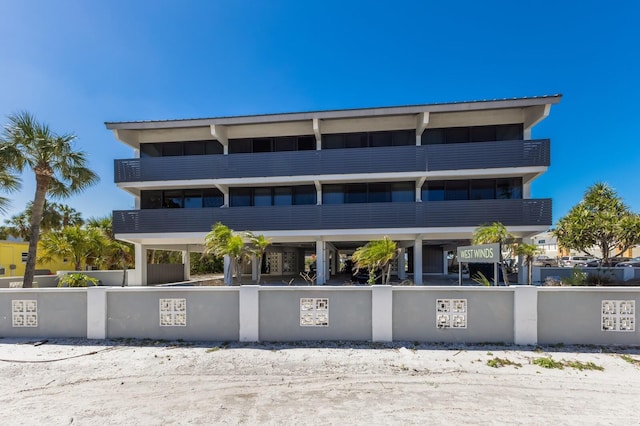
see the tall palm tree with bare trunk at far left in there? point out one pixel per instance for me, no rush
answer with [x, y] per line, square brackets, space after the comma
[59, 170]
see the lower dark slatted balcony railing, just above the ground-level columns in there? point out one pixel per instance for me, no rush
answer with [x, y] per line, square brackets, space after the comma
[531, 212]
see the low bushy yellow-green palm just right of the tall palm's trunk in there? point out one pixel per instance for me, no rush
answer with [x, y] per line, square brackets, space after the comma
[81, 245]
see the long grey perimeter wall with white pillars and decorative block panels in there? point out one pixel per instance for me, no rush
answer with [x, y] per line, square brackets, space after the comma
[517, 314]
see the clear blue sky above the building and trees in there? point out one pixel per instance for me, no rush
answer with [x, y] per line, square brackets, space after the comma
[76, 64]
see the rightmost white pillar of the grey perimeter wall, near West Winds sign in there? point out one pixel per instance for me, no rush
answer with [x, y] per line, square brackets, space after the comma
[525, 315]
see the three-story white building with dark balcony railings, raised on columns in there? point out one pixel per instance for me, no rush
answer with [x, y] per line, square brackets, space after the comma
[324, 183]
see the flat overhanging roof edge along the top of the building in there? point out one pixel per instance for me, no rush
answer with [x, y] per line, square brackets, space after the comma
[341, 113]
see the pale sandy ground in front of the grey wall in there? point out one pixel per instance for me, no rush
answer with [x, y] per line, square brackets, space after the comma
[75, 381]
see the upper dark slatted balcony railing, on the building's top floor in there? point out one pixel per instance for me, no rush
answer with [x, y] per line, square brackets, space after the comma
[477, 155]
